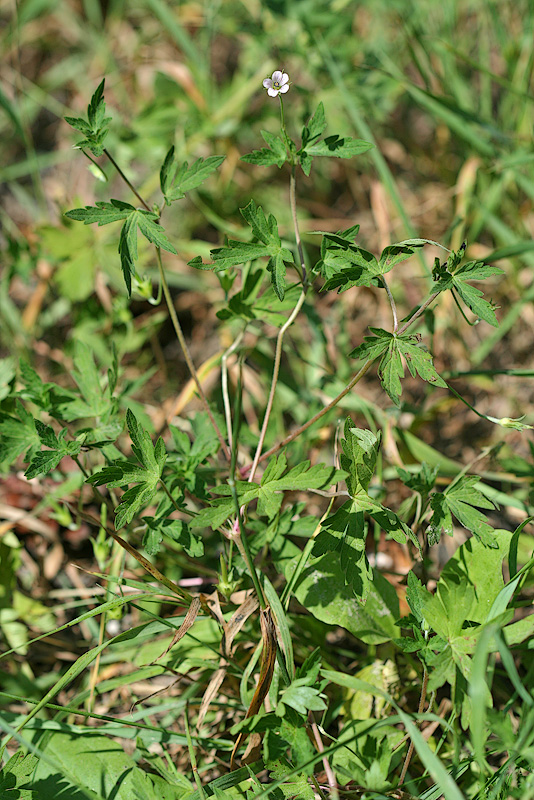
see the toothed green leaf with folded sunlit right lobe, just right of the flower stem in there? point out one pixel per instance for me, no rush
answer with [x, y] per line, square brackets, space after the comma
[345, 265]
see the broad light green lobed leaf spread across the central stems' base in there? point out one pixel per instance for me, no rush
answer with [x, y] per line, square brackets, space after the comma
[269, 491]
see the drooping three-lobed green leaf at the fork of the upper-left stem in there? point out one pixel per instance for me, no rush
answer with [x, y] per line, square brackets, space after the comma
[134, 218]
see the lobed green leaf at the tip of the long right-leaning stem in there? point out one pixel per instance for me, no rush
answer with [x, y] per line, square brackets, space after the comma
[450, 276]
